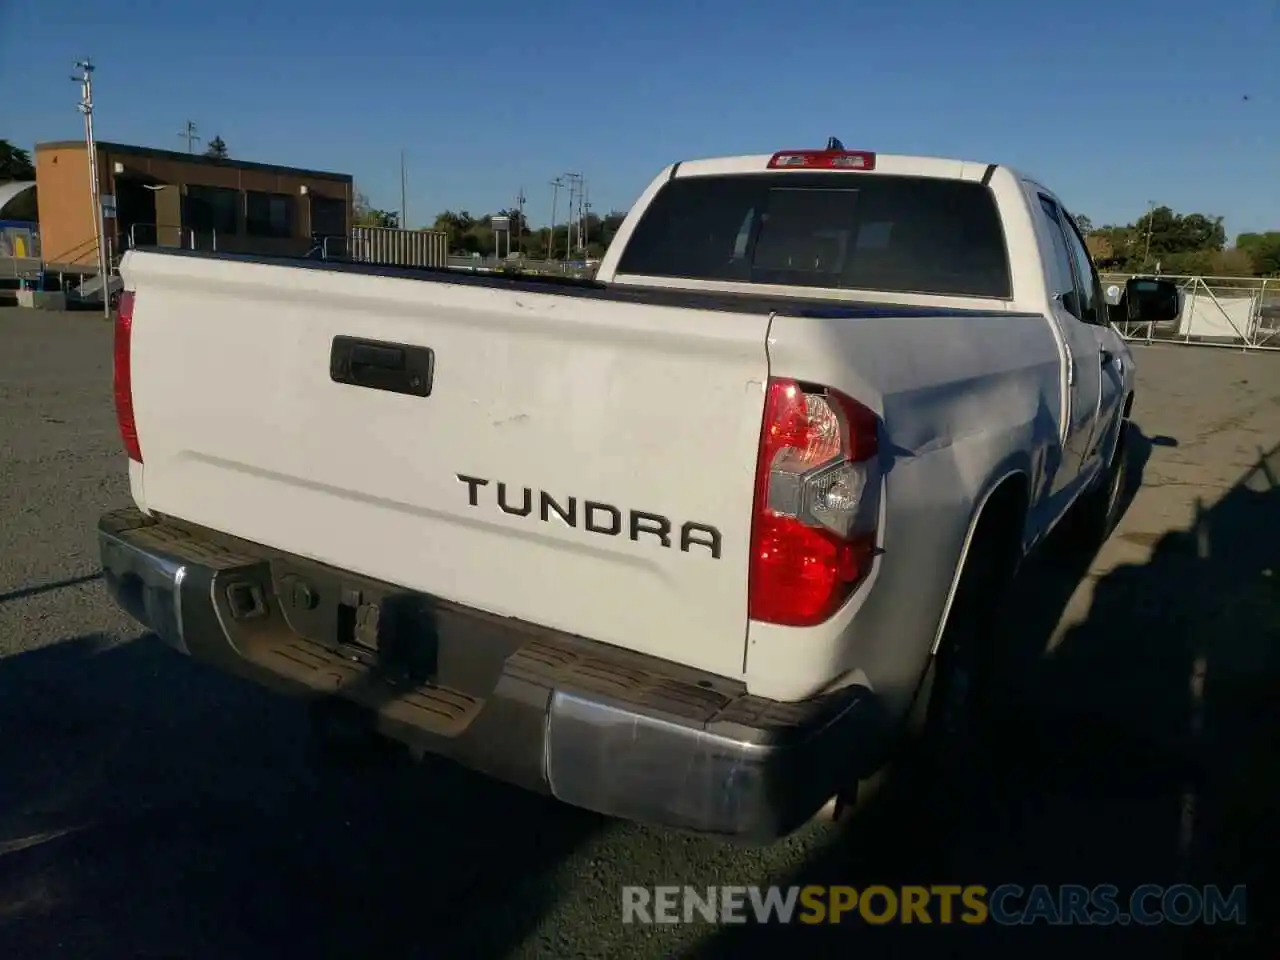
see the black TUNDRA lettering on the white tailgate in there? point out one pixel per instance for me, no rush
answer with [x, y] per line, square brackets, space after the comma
[597, 518]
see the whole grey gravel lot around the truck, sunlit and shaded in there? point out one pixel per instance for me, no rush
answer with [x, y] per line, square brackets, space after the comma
[152, 808]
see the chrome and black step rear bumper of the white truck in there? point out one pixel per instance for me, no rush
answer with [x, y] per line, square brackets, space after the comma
[597, 728]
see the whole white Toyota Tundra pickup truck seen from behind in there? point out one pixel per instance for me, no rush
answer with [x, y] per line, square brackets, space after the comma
[682, 545]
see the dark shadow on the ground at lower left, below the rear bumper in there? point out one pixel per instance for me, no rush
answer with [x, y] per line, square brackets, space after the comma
[153, 808]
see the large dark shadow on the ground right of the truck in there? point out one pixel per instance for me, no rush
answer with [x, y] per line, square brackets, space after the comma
[1144, 747]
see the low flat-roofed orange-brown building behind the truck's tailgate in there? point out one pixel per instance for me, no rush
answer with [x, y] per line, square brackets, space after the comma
[163, 198]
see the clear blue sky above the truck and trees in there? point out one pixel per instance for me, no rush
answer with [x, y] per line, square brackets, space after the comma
[1112, 106]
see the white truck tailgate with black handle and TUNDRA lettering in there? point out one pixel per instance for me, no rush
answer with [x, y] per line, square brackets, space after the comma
[579, 464]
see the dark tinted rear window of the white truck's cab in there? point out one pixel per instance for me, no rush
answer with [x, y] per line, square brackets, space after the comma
[838, 231]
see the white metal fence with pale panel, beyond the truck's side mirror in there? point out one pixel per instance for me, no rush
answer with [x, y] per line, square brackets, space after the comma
[1217, 312]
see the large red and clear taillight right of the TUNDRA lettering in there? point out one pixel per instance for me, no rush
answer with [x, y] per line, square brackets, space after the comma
[817, 488]
